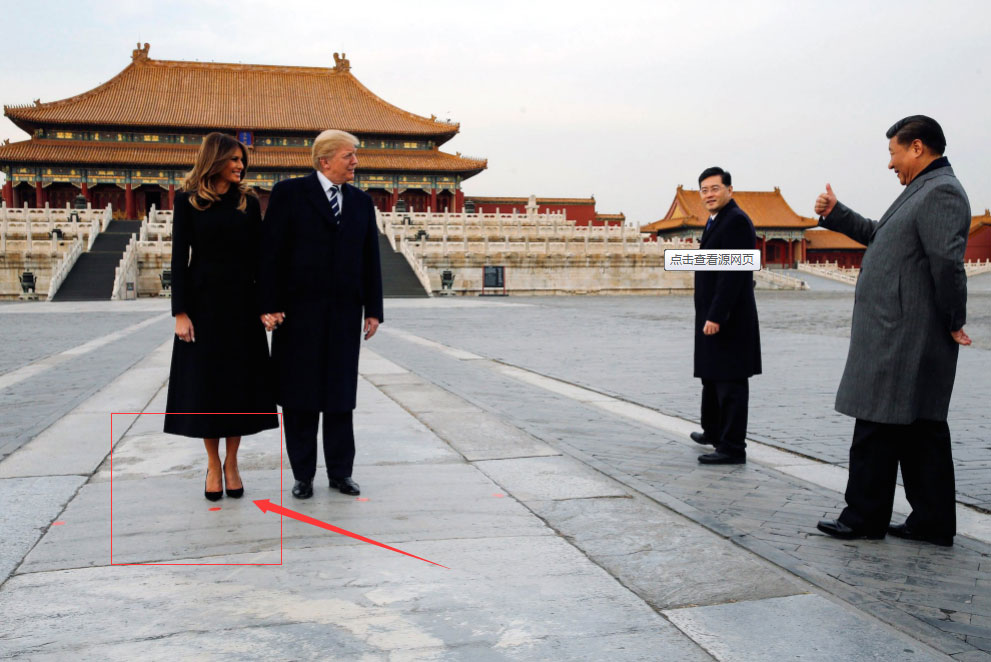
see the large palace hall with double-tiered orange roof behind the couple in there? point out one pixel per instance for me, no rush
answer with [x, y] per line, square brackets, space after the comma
[130, 141]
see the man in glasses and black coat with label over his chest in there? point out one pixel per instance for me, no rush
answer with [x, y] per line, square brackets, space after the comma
[727, 336]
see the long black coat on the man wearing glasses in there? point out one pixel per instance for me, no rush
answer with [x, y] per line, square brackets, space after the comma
[727, 298]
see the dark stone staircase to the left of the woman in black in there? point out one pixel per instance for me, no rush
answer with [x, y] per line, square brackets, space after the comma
[92, 277]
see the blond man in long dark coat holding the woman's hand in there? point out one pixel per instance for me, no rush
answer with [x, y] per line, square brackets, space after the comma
[319, 275]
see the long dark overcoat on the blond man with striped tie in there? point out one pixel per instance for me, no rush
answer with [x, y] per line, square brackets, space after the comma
[325, 276]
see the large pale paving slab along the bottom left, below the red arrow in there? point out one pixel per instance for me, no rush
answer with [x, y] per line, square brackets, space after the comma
[501, 600]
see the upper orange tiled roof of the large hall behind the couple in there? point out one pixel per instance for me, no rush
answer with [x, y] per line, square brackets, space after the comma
[209, 95]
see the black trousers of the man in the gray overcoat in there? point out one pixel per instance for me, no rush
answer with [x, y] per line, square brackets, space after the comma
[922, 449]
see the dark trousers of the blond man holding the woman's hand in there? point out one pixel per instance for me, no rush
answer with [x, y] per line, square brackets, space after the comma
[301, 442]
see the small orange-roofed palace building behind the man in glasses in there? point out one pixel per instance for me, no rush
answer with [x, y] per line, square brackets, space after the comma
[780, 231]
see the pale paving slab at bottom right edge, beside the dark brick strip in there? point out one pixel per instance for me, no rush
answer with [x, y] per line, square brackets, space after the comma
[791, 628]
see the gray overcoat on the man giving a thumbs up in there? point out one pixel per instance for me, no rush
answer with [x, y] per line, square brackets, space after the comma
[911, 294]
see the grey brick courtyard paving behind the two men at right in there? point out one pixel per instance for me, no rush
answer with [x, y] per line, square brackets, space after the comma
[639, 349]
